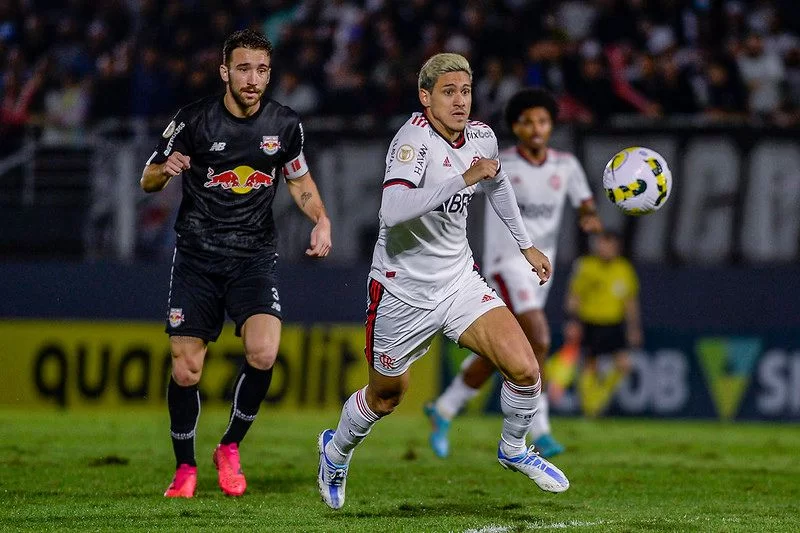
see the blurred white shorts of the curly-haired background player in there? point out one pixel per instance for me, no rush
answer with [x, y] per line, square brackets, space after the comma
[518, 285]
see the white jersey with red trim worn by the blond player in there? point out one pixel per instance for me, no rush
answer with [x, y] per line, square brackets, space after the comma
[422, 260]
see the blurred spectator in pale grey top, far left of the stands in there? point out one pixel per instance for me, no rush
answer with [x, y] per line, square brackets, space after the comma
[66, 109]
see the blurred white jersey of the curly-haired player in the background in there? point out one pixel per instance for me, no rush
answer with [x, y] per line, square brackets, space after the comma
[541, 191]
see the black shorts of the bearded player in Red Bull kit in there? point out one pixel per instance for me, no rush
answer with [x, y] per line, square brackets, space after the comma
[202, 290]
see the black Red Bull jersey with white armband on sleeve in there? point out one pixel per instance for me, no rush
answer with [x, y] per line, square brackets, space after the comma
[236, 164]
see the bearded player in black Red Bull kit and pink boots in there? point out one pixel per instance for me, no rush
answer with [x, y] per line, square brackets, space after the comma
[233, 151]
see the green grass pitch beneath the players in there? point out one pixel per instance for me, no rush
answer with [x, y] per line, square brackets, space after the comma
[107, 471]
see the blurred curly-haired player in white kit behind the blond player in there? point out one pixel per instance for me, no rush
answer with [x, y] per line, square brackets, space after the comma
[542, 179]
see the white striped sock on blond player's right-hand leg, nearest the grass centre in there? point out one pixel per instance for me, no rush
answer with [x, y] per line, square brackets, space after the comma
[519, 405]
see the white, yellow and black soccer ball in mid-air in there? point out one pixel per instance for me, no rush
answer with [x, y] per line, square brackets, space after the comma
[637, 180]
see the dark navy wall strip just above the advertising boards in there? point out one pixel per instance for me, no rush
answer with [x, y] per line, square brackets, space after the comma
[725, 299]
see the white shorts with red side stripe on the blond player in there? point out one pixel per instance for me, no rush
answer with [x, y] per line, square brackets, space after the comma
[398, 333]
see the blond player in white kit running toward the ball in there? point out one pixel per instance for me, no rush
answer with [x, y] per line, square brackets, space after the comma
[423, 280]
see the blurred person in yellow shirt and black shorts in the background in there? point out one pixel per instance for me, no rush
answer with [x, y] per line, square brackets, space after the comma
[603, 306]
